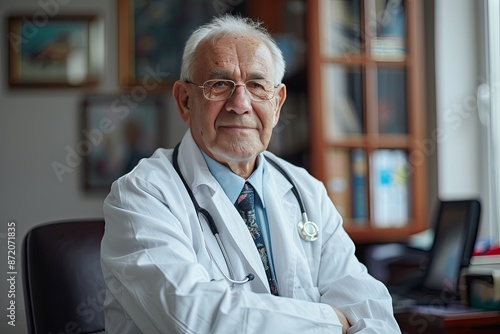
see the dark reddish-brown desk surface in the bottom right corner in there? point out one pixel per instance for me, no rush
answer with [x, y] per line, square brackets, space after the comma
[438, 320]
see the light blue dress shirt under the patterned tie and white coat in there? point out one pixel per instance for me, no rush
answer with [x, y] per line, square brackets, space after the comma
[232, 185]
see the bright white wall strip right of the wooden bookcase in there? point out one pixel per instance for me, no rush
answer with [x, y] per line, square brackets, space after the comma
[461, 148]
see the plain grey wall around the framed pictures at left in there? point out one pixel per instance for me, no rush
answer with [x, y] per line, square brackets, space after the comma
[35, 127]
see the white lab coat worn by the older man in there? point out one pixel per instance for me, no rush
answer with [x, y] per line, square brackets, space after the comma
[160, 278]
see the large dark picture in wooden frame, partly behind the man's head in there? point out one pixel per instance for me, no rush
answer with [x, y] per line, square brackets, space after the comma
[152, 34]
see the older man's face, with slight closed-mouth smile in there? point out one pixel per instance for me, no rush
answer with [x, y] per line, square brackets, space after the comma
[234, 131]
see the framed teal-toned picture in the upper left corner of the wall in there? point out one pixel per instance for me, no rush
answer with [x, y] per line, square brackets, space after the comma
[59, 51]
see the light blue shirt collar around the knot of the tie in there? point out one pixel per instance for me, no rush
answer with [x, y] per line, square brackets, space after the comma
[231, 183]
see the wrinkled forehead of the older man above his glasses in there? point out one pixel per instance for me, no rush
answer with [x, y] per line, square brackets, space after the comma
[233, 55]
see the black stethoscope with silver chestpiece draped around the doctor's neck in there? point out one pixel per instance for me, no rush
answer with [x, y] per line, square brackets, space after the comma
[307, 229]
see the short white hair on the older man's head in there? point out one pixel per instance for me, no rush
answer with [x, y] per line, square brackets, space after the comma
[229, 24]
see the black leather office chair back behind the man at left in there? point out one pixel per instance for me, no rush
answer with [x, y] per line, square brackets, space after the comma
[63, 284]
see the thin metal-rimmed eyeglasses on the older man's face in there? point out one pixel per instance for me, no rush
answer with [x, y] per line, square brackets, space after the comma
[223, 89]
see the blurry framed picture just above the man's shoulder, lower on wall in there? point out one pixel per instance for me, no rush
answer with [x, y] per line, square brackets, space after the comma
[117, 131]
